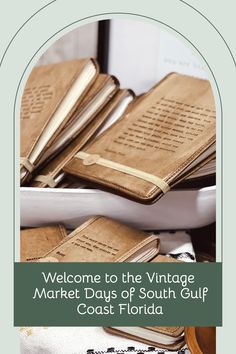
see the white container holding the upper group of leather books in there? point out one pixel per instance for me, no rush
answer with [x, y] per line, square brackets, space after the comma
[178, 209]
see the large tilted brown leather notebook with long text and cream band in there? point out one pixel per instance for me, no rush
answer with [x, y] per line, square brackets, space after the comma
[169, 133]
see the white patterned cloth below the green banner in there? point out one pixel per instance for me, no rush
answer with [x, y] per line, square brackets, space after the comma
[76, 340]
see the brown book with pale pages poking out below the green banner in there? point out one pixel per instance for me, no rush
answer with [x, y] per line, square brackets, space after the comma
[171, 338]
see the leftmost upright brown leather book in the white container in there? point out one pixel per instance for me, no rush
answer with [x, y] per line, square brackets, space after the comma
[51, 96]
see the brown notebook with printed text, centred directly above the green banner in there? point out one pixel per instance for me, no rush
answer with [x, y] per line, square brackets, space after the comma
[101, 239]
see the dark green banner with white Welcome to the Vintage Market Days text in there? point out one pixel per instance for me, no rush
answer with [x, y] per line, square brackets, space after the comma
[118, 294]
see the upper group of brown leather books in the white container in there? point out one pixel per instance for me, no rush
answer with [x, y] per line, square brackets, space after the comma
[79, 129]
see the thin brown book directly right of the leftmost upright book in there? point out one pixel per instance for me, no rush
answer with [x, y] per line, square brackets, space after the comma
[98, 96]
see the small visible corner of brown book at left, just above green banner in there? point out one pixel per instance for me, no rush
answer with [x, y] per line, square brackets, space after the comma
[35, 242]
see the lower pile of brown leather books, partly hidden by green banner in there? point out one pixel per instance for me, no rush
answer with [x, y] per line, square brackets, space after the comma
[101, 239]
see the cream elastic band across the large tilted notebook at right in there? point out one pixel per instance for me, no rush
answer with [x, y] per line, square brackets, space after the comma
[91, 159]
